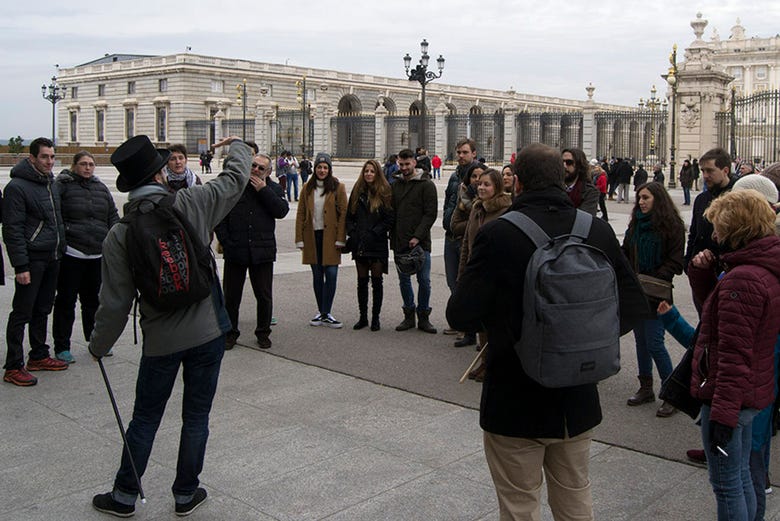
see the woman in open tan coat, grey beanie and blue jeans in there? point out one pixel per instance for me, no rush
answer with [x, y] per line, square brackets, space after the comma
[320, 233]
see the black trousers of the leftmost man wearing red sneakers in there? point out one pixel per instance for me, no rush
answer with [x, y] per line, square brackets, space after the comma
[31, 305]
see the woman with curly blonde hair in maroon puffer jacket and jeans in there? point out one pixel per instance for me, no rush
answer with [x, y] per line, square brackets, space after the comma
[733, 359]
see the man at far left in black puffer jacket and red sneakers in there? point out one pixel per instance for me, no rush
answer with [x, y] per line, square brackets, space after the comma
[35, 241]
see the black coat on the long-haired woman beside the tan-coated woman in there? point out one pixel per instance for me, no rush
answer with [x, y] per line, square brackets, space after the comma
[368, 231]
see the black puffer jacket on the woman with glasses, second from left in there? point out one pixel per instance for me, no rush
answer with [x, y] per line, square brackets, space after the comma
[88, 211]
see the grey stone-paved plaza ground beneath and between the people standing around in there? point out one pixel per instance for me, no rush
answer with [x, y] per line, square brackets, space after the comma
[335, 425]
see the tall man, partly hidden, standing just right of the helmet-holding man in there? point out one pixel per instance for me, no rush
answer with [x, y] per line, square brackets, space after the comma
[466, 153]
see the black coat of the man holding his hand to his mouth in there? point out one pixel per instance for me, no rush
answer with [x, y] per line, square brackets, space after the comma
[248, 233]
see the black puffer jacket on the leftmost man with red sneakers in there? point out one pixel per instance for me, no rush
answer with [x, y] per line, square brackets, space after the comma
[32, 217]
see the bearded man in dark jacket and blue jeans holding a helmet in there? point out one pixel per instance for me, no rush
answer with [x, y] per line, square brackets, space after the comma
[414, 202]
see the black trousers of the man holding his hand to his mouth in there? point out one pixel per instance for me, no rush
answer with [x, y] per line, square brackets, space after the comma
[261, 277]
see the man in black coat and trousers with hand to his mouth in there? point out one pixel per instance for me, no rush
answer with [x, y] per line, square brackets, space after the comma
[248, 240]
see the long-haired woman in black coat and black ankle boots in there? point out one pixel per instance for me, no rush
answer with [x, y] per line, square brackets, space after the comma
[369, 219]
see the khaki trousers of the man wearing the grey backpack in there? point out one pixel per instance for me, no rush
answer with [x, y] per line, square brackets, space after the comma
[516, 467]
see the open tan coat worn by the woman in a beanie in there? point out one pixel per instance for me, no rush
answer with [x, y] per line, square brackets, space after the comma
[334, 232]
